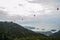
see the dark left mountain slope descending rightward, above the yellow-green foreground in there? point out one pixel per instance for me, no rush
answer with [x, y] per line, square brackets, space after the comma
[9, 30]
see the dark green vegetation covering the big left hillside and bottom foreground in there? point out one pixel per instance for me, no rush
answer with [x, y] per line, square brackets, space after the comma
[13, 31]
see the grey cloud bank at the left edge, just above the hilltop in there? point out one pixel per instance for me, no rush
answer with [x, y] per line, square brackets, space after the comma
[5, 16]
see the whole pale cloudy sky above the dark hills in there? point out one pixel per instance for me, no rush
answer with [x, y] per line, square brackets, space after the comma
[22, 12]
